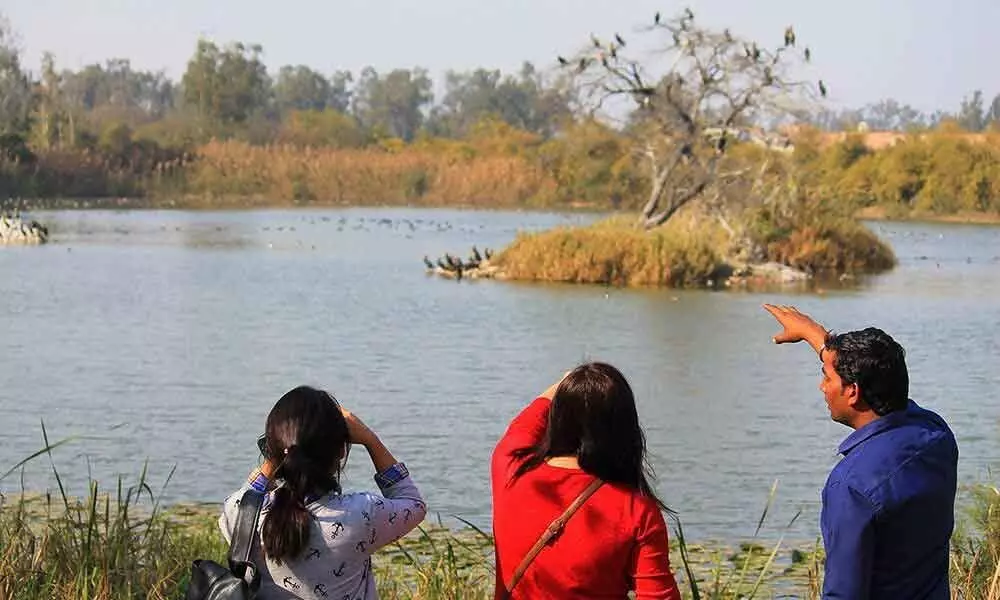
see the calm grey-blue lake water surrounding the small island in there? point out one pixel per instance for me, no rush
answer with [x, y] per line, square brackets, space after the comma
[168, 336]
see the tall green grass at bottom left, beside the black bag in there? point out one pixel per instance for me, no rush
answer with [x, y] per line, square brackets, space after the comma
[110, 544]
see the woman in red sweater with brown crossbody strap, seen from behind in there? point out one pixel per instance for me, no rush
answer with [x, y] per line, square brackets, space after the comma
[582, 428]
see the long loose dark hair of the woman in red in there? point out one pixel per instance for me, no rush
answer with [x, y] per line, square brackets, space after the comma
[593, 418]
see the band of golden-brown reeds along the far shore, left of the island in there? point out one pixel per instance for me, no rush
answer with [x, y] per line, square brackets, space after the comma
[240, 174]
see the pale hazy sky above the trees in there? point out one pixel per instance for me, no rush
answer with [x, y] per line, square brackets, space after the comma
[929, 54]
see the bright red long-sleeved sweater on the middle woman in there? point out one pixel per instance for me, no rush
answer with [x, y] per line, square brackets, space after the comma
[616, 542]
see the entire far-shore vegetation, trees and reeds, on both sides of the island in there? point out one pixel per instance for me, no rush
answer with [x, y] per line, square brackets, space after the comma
[231, 129]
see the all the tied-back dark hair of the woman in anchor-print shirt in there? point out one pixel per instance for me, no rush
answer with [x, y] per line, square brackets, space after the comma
[307, 439]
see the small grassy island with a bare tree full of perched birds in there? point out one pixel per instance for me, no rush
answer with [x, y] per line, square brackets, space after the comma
[725, 204]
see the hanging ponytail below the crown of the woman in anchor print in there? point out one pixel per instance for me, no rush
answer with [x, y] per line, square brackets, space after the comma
[285, 532]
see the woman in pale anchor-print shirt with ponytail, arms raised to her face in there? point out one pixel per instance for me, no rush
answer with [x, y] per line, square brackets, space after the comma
[314, 540]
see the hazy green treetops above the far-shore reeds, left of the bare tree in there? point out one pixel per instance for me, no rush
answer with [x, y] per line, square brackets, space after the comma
[227, 92]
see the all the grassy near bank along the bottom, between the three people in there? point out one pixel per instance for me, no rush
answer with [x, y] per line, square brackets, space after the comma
[124, 545]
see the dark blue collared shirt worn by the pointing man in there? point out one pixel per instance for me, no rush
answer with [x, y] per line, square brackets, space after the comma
[889, 510]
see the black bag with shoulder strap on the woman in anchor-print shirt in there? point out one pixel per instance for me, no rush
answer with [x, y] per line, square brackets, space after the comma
[212, 581]
